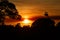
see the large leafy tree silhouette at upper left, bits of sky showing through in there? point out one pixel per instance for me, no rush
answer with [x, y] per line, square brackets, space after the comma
[8, 9]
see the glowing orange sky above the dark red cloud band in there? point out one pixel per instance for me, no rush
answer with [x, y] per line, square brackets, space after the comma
[37, 7]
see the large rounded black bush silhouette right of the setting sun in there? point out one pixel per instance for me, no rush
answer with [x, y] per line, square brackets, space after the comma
[43, 24]
